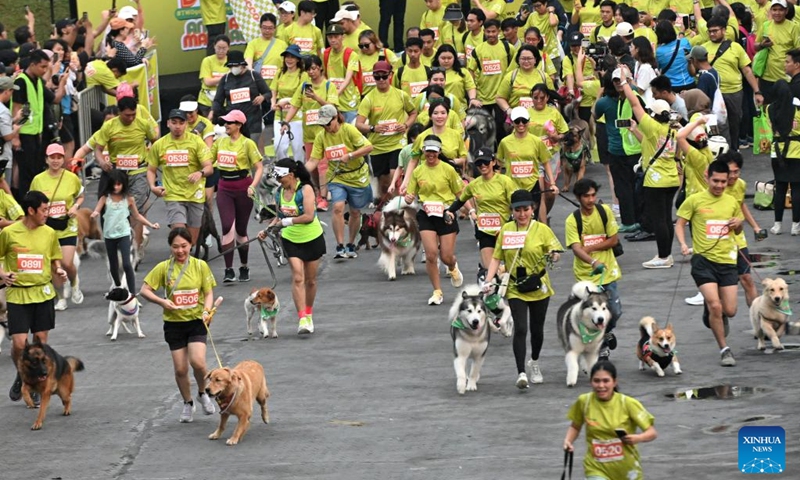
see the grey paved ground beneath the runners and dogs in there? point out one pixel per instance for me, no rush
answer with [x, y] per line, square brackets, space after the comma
[372, 393]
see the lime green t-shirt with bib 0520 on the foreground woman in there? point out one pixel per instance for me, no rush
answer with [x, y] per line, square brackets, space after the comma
[606, 455]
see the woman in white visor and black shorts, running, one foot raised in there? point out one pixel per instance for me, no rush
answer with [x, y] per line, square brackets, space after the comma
[438, 185]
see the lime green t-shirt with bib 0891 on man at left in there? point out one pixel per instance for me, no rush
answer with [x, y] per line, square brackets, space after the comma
[29, 254]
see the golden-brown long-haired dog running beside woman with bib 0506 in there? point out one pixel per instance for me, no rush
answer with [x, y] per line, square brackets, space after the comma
[235, 389]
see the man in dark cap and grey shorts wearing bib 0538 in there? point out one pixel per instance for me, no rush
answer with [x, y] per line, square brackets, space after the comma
[185, 162]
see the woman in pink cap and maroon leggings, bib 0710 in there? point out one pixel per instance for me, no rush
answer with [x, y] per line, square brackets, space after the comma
[236, 156]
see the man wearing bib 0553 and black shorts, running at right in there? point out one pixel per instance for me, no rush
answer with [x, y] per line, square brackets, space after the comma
[715, 216]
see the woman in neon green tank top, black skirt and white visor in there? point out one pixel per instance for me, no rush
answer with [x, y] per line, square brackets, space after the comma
[302, 236]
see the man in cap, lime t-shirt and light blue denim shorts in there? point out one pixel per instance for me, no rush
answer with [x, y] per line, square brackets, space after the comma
[345, 149]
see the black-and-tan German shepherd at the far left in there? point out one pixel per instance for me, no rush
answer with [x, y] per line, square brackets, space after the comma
[46, 372]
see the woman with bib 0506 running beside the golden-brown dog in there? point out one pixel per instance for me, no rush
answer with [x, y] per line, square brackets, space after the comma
[188, 301]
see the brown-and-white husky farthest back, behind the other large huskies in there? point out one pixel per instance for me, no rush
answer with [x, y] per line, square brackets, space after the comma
[398, 237]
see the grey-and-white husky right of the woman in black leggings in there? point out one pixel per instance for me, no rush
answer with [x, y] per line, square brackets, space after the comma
[582, 321]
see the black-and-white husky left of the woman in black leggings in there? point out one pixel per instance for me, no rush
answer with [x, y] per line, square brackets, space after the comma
[470, 332]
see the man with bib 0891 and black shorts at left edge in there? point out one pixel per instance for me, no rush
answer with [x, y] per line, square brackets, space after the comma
[31, 260]
